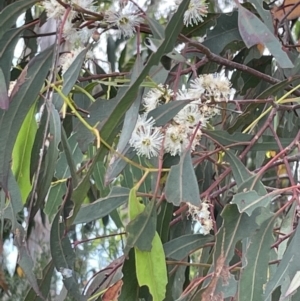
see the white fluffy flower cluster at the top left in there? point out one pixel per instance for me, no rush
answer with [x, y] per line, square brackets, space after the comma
[77, 34]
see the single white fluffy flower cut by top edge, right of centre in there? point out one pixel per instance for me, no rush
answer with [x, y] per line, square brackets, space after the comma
[196, 10]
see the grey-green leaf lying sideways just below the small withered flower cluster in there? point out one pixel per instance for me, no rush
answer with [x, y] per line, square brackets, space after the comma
[182, 246]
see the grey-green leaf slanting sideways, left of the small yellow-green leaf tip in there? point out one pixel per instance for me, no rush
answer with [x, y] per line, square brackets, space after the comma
[102, 207]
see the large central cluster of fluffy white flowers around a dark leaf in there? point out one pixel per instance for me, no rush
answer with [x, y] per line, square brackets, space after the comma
[184, 129]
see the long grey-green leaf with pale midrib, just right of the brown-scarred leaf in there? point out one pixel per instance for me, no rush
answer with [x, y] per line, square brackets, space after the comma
[256, 261]
